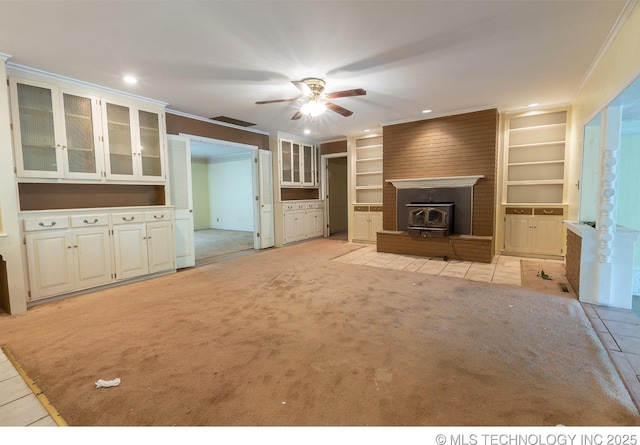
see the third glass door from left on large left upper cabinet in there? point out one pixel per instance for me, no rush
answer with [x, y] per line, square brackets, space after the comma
[119, 143]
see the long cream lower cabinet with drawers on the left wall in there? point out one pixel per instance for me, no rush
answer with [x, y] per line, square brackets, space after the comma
[72, 252]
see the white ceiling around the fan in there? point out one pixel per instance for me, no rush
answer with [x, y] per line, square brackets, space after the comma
[211, 58]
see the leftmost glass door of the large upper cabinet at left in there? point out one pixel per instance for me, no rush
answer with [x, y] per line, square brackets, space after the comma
[37, 143]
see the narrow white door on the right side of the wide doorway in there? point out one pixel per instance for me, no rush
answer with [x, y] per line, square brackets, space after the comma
[265, 200]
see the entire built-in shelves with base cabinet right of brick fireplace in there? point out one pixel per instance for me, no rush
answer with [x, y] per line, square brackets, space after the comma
[534, 183]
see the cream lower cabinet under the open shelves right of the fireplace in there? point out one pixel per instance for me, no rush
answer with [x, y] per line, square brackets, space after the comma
[537, 231]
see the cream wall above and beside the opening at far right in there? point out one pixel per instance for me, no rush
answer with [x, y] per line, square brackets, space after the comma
[617, 68]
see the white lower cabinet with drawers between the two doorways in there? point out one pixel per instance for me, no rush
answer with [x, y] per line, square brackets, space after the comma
[302, 220]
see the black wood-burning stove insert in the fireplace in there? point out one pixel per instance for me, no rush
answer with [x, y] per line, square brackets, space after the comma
[429, 219]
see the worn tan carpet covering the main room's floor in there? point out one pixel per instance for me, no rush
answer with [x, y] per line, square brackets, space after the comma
[288, 337]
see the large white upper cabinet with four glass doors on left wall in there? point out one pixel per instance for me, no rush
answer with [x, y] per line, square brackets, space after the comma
[62, 132]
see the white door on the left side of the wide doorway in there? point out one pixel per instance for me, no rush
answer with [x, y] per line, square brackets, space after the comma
[181, 199]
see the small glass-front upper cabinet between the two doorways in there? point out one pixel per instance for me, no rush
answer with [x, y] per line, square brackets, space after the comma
[297, 163]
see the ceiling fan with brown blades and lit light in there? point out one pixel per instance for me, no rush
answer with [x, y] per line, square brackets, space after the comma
[315, 100]
